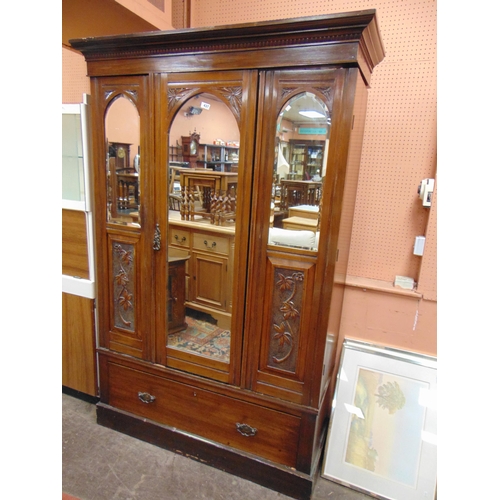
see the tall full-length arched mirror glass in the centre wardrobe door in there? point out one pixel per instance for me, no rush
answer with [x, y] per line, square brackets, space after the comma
[202, 203]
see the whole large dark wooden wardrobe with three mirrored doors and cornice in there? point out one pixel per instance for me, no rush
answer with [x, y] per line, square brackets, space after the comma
[220, 289]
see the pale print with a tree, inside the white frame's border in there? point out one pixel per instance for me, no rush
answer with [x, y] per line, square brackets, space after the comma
[385, 432]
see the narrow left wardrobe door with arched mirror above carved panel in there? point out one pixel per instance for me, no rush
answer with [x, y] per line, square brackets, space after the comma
[123, 212]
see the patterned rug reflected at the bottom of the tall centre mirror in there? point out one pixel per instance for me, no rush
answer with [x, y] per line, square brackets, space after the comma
[203, 338]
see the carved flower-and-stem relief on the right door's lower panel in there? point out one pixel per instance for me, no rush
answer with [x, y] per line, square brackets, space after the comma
[283, 333]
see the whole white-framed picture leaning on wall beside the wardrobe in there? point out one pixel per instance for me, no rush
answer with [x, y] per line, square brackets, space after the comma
[382, 436]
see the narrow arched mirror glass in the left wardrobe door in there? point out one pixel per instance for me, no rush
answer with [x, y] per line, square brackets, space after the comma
[123, 161]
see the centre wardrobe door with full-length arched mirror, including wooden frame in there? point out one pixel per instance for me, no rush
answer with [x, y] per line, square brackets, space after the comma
[205, 207]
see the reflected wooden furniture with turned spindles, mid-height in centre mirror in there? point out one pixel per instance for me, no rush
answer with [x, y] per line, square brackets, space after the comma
[216, 192]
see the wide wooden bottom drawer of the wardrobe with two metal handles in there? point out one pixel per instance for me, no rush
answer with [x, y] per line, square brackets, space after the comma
[248, 427]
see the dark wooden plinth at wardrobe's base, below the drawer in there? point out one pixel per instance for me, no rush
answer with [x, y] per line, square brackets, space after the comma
[245, 465]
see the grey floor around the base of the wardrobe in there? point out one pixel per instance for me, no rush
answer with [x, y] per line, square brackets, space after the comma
[102, 464]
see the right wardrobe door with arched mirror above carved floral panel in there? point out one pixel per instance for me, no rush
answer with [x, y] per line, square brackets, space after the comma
[299, 116]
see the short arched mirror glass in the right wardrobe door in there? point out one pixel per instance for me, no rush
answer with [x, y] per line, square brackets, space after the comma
[302, 133]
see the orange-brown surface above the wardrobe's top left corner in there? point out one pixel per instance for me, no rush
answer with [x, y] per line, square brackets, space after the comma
[87, 18]
